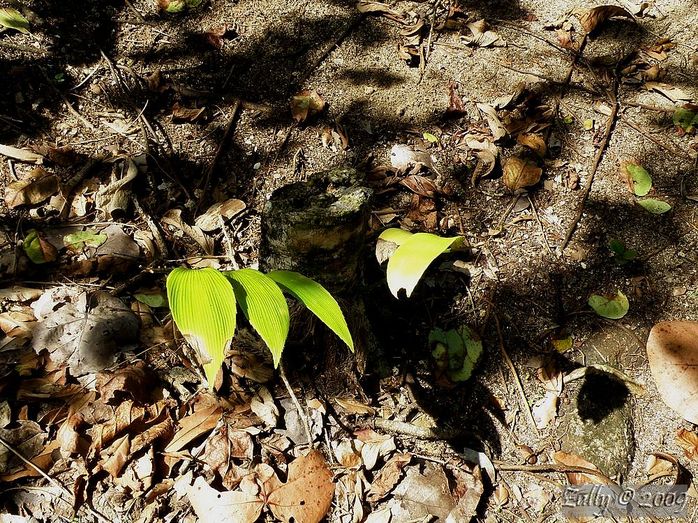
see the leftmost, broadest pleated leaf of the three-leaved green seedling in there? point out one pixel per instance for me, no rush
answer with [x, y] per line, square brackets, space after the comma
[203, 307]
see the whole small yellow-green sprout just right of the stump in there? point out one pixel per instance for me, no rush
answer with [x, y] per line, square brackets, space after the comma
[412, 254]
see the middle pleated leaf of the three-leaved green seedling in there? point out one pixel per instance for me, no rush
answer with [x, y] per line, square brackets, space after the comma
[264, 306]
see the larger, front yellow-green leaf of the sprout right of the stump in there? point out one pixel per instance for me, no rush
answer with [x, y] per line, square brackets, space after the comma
[412, 258]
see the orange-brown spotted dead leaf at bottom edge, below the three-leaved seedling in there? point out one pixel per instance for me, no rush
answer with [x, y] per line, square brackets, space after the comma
[307, 495]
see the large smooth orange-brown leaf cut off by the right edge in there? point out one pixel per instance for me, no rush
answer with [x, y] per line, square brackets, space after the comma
[672, 351]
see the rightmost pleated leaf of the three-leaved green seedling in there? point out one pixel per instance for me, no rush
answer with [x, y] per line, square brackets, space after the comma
[317, 299]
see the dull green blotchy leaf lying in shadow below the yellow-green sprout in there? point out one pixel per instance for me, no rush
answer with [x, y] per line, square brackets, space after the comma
[456, 351]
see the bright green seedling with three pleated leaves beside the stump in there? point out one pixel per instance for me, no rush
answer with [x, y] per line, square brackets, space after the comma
[204, 304]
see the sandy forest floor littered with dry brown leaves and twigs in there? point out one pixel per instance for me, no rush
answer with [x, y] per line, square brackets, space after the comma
[509, 123]
